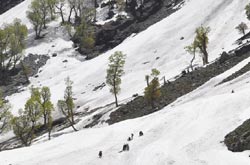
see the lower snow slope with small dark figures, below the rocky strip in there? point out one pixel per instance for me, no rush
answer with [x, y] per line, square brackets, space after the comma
[188, 132]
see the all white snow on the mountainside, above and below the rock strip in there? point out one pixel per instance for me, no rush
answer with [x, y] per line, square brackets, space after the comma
[187, 132]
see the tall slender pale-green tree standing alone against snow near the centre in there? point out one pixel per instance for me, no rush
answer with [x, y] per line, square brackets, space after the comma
[114, 73]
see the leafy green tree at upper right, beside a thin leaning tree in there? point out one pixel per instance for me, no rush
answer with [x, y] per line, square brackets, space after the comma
[201, 41]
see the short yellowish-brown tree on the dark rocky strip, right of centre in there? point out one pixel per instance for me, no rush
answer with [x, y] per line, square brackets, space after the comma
[152, 92]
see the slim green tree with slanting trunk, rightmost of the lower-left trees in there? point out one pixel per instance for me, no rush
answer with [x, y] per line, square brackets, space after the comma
[67, 105]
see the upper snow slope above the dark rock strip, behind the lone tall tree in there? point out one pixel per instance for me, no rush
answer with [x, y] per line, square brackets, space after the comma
[160, 40]
